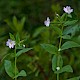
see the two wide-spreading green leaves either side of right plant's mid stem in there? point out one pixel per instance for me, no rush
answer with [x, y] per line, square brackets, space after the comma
[53, 49]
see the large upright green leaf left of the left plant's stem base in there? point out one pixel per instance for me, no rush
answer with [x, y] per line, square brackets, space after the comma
[8, 68]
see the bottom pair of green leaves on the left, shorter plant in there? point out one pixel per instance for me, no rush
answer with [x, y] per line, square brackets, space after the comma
[9, 68]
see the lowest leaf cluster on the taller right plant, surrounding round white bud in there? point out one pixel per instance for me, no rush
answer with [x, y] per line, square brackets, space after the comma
[57, 61]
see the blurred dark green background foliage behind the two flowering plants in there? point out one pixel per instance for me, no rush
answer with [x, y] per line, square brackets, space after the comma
[30, 14]
